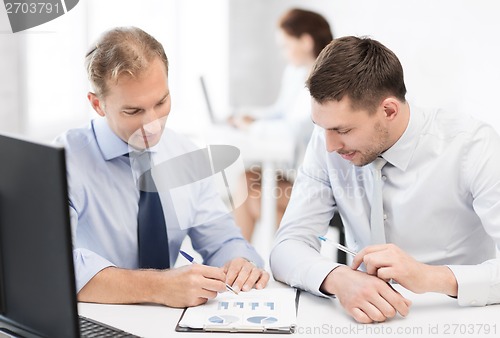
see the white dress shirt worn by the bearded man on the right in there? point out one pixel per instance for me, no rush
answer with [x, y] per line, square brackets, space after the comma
[441, 198]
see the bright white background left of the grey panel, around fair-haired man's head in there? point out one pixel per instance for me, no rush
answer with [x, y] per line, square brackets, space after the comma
[43, 84]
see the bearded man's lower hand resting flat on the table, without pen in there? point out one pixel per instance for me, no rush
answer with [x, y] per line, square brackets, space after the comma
[366, 298]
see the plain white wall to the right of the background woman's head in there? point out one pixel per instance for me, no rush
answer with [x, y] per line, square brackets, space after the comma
[449, 49]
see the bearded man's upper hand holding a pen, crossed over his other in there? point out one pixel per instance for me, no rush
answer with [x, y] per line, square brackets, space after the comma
[388, 261]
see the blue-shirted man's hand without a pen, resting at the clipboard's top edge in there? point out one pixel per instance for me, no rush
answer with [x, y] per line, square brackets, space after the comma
[244, 275]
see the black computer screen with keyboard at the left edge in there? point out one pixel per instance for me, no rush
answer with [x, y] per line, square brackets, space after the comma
[37, 280]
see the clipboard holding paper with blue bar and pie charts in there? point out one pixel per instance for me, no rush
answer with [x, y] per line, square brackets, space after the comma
[271, 310]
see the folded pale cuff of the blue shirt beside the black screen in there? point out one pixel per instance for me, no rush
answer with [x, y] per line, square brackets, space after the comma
[87, 265]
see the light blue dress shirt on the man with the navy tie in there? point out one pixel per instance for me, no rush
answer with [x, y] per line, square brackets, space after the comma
[104, 197]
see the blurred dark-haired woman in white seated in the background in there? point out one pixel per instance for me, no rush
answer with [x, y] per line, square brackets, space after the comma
[302, 34]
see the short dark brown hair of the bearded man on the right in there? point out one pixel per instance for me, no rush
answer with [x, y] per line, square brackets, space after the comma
[362, 69]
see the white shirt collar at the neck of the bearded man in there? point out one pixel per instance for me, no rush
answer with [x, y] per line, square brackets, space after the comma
[401, 153]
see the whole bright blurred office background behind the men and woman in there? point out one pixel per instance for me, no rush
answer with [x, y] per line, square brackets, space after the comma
[449, 50]
